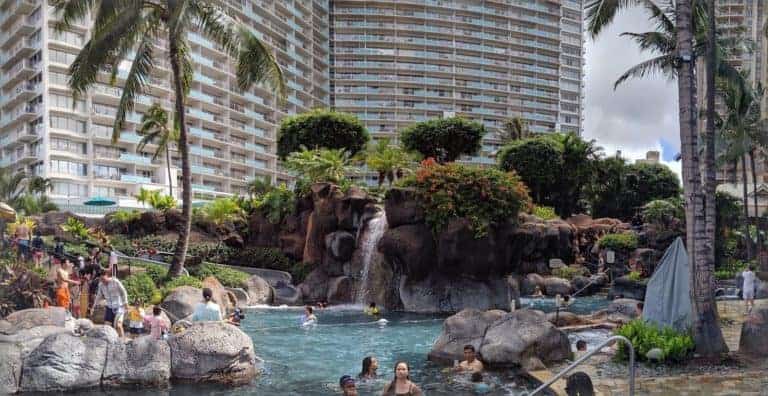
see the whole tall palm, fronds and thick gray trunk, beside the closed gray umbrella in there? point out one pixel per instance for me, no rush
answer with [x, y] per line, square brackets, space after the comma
[677, 43]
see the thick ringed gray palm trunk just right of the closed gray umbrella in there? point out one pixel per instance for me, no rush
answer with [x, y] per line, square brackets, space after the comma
[706, 325]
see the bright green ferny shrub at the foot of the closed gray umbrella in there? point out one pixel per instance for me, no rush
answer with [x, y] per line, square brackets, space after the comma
[675, 346]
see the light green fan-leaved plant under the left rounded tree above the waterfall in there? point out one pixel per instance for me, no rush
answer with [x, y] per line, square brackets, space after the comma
[320, 165]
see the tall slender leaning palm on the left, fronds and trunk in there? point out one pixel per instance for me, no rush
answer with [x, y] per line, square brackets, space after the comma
[122, 27]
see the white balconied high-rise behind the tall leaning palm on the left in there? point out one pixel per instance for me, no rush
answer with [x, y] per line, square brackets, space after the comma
[43, 131]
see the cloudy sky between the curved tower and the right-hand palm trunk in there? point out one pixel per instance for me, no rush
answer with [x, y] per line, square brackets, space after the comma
[641, 114]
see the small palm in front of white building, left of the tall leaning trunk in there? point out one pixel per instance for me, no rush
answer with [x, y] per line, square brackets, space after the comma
[155, 129]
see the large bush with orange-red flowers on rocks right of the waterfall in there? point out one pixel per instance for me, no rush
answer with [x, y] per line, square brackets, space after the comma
[484, 196]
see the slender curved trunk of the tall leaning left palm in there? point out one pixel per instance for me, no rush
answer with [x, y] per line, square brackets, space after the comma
[179, 256]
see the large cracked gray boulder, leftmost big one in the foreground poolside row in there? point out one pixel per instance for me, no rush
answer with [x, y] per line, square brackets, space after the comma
[64, 362]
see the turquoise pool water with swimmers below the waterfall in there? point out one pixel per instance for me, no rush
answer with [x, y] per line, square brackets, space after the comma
[309, 361]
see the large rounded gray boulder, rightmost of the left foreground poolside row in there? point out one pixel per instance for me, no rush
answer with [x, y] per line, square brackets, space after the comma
[213, 352]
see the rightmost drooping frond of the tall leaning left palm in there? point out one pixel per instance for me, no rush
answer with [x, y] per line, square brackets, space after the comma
[256, 64]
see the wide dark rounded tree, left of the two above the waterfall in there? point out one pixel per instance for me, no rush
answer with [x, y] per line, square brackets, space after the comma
[321, 129]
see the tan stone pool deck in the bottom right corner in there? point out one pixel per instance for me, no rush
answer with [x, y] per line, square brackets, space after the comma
[745, 378]
